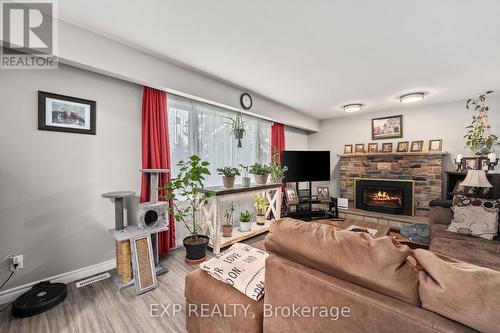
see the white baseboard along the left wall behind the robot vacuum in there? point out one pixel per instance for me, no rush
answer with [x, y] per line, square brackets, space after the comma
[11, 294]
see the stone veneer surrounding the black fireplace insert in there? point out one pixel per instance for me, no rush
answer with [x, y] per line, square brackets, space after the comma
[426, 169]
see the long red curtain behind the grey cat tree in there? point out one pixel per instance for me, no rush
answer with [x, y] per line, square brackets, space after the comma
[156, 152]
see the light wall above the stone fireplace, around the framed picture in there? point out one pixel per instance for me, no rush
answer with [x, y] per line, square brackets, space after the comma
[438, 121]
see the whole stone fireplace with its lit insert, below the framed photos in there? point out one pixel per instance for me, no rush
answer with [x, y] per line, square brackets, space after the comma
[424, 170]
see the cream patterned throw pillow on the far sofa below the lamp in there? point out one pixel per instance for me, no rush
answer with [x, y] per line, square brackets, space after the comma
[475, 217]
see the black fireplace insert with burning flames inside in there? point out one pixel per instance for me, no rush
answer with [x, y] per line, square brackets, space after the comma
[385, 196]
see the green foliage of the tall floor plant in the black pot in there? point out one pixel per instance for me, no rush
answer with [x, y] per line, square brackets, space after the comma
[186, 187]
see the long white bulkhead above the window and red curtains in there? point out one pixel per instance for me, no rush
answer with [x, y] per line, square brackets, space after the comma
[85, 49]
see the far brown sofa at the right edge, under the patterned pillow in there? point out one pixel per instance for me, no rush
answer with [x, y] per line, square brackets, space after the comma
[478, 251]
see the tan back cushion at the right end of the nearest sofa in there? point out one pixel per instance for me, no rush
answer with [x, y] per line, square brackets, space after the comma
[466, 293]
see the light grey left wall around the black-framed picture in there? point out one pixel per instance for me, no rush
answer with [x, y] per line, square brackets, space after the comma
[51, 183]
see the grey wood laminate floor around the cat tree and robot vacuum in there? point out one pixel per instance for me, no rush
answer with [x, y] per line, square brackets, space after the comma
[100, 307]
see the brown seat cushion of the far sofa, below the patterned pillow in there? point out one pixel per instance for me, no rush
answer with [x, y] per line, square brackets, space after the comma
[473, 250]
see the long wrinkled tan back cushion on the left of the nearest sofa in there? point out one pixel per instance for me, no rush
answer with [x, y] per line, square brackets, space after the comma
[377, 264]
